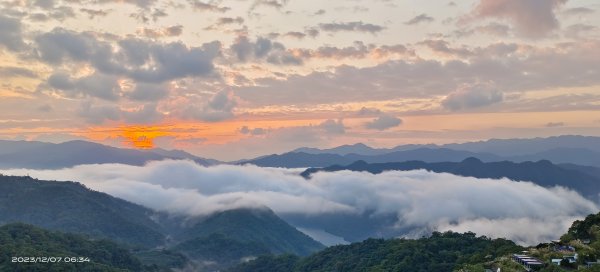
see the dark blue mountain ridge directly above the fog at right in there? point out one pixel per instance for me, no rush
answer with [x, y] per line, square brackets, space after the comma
[585, 180]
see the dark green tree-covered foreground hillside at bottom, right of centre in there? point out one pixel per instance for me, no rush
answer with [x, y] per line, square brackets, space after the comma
[440, 252]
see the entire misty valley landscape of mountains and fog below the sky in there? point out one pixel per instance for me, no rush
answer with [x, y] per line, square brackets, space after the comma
[464, 207]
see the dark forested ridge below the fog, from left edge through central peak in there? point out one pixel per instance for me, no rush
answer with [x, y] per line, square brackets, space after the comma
[219, 240]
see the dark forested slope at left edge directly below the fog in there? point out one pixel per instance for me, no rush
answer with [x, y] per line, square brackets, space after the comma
[71, 207]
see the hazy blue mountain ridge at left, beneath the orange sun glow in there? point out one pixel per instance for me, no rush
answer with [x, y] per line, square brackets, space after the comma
[39, 155]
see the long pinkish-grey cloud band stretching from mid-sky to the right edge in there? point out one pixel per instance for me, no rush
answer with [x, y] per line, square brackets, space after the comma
[512, 67]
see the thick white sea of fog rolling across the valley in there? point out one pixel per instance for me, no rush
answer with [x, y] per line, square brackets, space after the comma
[418, 201]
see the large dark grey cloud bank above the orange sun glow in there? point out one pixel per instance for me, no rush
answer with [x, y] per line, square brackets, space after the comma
[140, 60]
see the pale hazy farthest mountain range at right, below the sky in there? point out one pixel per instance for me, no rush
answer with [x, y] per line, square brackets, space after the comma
[577, 150]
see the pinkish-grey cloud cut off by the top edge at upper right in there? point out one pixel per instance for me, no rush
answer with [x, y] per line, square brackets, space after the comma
[532, 18]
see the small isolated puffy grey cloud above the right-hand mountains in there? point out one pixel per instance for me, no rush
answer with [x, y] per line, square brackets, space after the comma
[473, 96]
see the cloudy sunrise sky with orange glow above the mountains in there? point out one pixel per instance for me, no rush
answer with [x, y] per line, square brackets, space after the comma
[236, 79]
